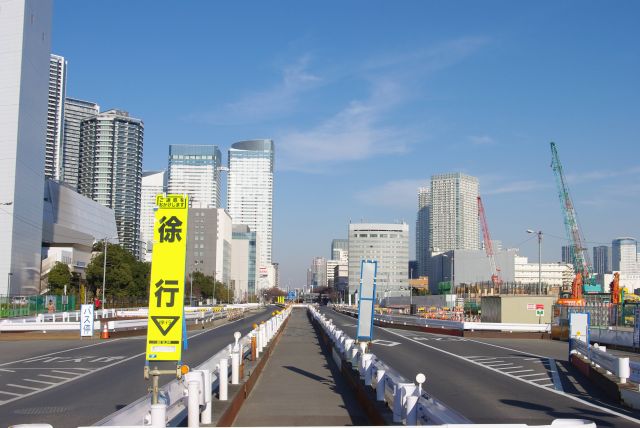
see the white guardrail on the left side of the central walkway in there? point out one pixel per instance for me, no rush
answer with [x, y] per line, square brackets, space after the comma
[192, 395]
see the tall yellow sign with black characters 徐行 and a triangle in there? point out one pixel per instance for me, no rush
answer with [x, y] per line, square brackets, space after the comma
[166, 296]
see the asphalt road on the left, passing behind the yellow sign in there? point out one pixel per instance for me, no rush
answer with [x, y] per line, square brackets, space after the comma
[77, 383]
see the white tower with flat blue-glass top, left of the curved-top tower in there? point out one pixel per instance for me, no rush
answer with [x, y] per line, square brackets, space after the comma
[195, 170]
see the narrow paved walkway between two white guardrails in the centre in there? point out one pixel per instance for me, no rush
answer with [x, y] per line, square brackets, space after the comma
[298, 387]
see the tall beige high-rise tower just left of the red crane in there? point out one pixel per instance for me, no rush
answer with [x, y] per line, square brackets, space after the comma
[453, 216]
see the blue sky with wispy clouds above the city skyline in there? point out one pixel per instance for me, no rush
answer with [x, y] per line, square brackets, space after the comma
[365, 100]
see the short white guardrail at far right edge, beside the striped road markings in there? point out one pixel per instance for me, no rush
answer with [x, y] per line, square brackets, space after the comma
[621, 367]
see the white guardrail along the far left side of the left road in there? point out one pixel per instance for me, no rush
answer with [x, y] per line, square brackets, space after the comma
[69, 321]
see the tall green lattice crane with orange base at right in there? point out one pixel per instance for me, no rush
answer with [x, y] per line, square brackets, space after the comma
[584, 279]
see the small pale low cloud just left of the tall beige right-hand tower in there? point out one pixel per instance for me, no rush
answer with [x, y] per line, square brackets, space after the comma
[402, 194]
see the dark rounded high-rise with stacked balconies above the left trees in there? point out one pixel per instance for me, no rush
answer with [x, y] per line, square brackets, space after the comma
[111, 170]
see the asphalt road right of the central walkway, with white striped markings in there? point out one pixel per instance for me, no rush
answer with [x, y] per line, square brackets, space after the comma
[495, 380]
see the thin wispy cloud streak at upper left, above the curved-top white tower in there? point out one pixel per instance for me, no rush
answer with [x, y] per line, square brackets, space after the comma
[271, 103]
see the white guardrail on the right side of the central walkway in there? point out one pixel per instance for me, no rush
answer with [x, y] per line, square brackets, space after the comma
[409, 404]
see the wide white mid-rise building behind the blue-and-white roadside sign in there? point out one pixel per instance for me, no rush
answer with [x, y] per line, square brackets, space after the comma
[388, 243]
